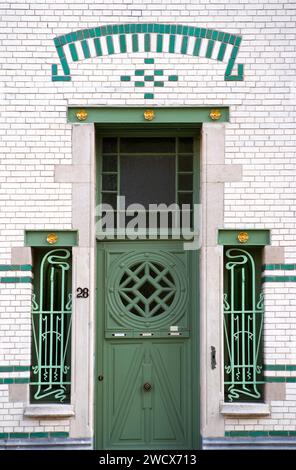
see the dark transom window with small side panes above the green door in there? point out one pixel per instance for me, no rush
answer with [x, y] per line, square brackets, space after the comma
[147, 170]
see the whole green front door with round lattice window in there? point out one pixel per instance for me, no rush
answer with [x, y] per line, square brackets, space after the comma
[147, 354]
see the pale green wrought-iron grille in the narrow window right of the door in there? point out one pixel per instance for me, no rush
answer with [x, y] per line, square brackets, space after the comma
[243, 324]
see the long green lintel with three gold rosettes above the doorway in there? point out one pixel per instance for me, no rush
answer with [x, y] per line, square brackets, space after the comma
[179, 116]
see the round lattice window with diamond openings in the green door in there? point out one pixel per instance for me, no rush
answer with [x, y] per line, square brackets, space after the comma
[147, 289]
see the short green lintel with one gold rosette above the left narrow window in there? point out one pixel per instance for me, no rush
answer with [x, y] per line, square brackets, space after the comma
[38, 238]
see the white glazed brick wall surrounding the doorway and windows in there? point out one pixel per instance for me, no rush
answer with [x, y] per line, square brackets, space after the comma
[35, 136]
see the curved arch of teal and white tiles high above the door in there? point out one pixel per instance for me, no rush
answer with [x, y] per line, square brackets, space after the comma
[148, 37]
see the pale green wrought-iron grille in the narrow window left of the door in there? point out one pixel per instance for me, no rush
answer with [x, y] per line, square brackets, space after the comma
[51, 325]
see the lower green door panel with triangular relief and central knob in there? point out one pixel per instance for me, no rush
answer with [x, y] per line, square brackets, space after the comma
[159, 416]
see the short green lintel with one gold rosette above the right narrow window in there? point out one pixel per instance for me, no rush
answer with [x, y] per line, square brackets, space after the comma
[256, 237]
